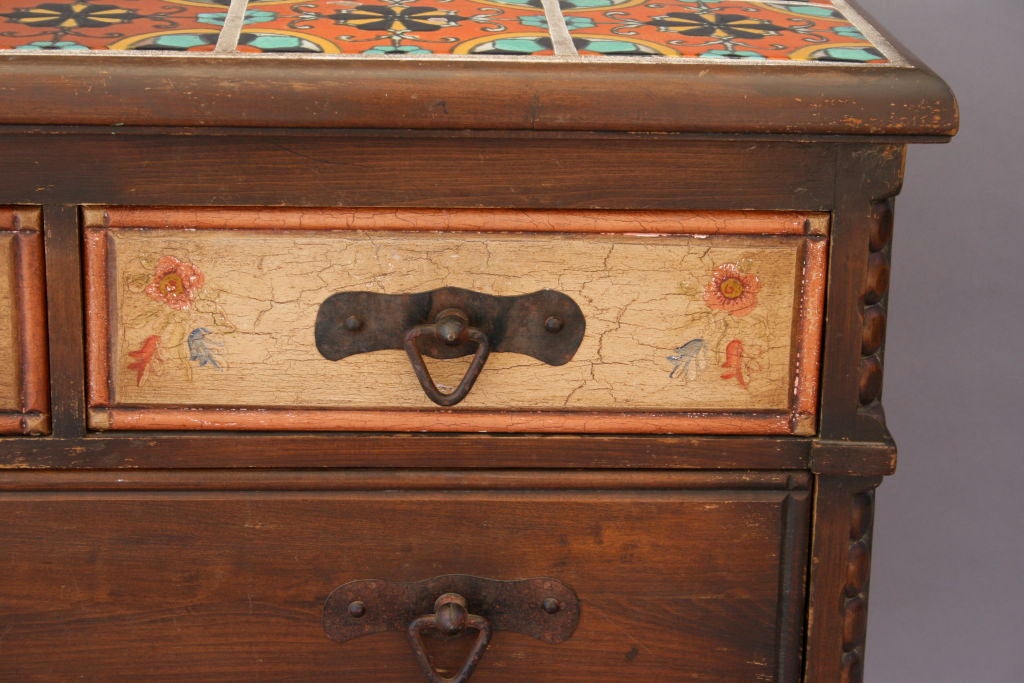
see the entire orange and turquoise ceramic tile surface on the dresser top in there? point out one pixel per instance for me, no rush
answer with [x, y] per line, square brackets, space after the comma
[793, 31]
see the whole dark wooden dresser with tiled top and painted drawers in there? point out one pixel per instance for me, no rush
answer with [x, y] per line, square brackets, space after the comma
[447, 340]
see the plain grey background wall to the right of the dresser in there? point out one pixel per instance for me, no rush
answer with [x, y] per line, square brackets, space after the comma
[948, 581]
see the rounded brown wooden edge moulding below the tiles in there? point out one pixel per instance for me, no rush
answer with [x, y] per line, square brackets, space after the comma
[135, 91]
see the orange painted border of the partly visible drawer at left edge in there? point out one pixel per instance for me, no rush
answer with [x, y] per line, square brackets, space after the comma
[29, 301]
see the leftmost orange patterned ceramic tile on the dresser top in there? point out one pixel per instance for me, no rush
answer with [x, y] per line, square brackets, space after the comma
[115, 25]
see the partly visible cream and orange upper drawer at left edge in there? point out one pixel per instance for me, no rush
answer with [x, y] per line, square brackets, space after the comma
[24, 380]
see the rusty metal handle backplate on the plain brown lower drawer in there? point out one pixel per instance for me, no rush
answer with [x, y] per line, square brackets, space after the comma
[544, 609]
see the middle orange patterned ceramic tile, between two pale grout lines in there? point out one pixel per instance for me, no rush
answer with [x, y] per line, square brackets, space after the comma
[398, 27]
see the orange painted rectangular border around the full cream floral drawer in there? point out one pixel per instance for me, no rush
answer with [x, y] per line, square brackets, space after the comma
[801, 419]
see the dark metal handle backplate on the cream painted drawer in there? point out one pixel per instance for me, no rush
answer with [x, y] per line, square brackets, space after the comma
[546, 325]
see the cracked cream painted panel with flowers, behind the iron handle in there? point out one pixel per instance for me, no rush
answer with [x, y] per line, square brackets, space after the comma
[643, 297]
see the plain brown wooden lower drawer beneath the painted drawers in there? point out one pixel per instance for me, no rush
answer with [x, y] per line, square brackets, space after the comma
[692, 580]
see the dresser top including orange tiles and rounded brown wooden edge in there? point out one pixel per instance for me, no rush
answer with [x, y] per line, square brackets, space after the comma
[655, 66]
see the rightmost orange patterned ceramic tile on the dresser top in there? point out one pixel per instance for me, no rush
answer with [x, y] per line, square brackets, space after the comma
[717, 29]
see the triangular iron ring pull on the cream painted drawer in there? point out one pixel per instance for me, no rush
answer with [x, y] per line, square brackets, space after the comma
[451, 327]
